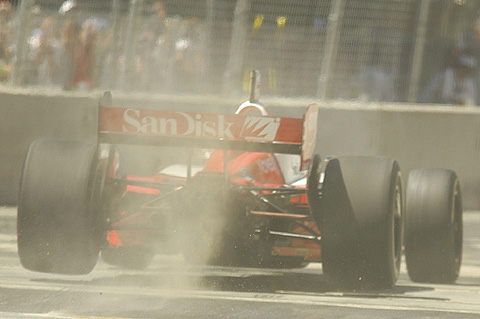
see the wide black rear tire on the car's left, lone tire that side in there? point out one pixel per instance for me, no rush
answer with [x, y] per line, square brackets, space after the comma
[57, 229]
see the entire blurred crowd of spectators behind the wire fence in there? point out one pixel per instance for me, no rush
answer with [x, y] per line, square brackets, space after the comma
[80, 48]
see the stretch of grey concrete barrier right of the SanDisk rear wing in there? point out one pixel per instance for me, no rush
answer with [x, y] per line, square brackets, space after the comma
[416, 136]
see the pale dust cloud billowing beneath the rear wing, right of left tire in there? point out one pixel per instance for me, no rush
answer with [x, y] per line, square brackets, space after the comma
[192, 220]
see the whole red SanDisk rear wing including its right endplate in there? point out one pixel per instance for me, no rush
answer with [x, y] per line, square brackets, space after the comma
[118, 125]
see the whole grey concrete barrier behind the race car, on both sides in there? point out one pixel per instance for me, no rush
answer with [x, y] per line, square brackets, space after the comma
[416, 136]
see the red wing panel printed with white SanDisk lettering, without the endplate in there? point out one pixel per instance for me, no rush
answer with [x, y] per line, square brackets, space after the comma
[134, 121]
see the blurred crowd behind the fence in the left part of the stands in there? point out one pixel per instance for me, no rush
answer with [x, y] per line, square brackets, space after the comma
[75, 51]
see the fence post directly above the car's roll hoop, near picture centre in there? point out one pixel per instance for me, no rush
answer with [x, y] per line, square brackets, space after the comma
[233, 70]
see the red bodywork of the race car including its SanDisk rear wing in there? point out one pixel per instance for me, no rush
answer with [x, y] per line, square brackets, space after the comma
[241, 136]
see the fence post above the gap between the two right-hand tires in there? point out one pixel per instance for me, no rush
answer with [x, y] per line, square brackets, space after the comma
[418, 51]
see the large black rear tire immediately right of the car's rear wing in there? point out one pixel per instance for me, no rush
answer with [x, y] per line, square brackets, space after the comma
[361, 222]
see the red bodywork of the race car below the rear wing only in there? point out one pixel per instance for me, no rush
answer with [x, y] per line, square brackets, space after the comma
[264, 171]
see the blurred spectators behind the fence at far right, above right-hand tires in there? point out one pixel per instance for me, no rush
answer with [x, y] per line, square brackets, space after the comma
[456, 82]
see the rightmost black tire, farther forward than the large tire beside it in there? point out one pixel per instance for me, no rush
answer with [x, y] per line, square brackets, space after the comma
[434, 226]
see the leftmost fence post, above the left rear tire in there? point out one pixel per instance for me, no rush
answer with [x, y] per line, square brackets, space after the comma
[21, 38]
